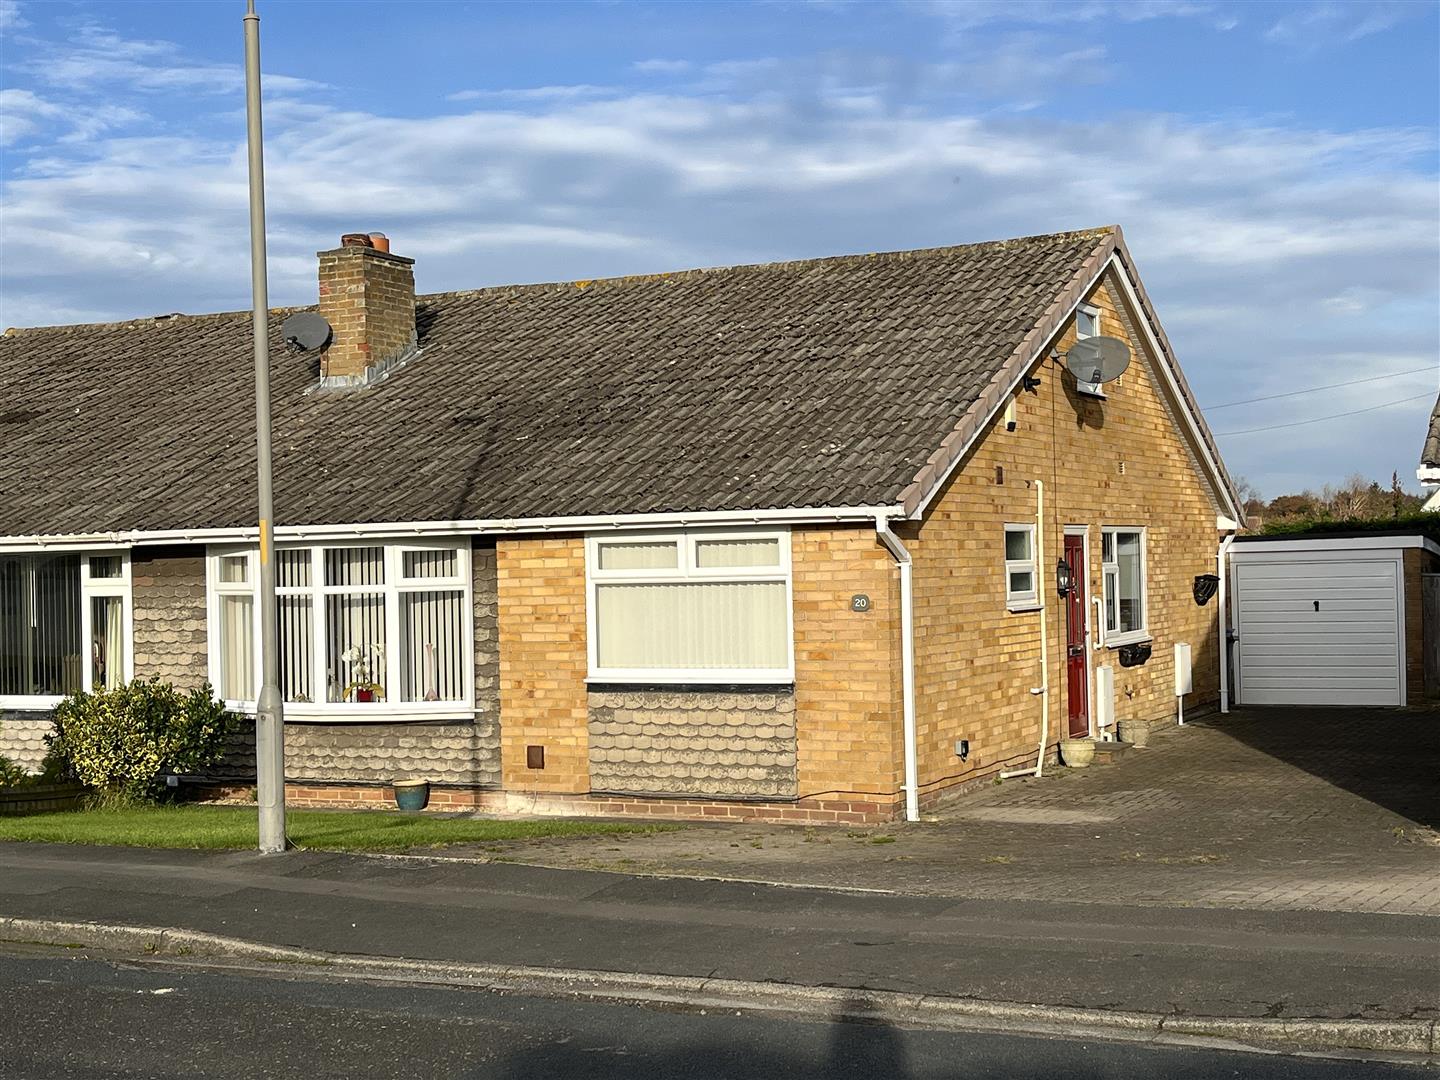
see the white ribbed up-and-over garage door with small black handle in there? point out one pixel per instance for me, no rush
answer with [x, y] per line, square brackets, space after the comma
[1324, 633]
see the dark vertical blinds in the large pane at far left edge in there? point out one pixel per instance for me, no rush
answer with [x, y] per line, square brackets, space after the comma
[41, 650]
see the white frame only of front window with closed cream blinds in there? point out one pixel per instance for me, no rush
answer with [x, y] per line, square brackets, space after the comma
[688, 571]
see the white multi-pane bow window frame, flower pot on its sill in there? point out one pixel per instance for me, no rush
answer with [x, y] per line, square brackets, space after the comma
[395, 585]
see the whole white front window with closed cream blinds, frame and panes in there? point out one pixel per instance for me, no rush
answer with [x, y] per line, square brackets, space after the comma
[690, 607]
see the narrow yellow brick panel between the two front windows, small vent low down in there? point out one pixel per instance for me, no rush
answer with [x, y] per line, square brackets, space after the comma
[544, 663]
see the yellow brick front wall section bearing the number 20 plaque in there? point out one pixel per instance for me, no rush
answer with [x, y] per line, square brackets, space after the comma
[847, 665]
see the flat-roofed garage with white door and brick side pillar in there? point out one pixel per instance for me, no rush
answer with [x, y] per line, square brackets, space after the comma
[1330, 620]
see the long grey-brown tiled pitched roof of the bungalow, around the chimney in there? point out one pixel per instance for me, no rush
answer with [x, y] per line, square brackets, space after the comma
[834, 382]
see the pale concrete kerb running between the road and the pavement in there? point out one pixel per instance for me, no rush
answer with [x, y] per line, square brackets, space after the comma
[1402, 1039]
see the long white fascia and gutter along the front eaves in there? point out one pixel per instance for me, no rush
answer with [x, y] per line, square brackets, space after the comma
[400, 531]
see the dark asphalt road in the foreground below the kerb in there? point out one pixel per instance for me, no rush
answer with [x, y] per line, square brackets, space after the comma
[77, 1017]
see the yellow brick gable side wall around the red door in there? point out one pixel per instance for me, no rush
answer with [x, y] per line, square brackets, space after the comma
[976, 660]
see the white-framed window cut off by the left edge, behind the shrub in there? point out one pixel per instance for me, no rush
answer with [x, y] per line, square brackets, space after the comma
[66, 626]
